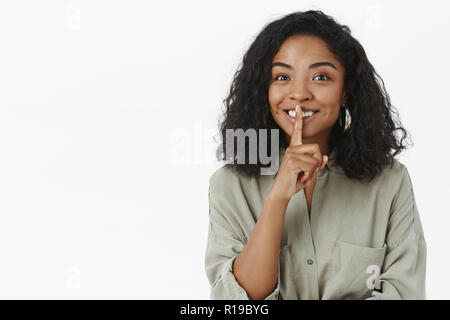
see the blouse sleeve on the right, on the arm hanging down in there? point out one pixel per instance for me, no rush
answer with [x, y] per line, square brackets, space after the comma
[403, 272]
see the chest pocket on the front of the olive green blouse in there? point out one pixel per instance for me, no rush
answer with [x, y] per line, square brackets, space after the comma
[356, 270]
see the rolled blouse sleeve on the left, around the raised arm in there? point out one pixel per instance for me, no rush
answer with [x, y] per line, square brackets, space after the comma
[224, 245]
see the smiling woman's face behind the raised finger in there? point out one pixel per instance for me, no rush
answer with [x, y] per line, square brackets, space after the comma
[299, 77]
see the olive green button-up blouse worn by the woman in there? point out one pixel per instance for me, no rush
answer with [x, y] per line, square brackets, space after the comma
[361, 240]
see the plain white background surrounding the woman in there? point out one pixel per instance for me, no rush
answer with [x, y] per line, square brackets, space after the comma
[107, 115]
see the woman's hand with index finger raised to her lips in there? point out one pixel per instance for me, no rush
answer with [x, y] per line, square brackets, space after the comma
[300, 164]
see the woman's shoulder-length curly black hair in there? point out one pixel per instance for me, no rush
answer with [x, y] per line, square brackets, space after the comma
[369, 144]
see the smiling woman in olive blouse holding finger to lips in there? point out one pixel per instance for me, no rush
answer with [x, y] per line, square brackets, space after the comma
[339, 219]
